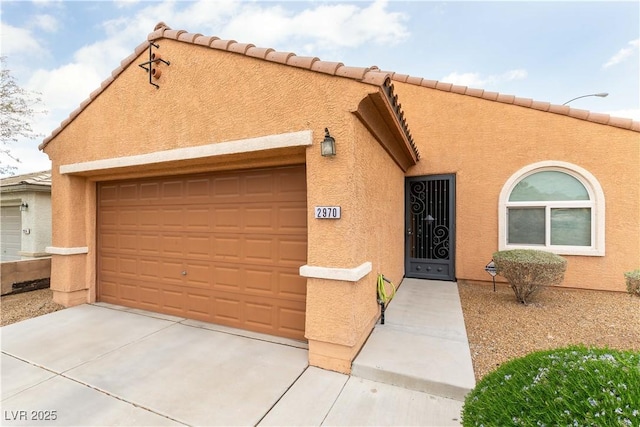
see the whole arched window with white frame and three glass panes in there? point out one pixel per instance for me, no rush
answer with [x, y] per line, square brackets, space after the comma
[554, 206]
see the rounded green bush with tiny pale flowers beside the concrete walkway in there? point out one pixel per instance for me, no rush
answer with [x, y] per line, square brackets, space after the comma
[574, 386]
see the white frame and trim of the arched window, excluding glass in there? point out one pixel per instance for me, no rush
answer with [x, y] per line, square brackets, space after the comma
[596, 203]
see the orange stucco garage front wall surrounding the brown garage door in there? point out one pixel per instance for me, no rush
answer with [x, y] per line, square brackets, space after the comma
[210, 97]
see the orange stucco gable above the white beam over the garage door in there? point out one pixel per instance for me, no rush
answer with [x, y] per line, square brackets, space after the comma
[205, 96]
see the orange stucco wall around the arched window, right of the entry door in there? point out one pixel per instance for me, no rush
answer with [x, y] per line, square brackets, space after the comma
[485, 142]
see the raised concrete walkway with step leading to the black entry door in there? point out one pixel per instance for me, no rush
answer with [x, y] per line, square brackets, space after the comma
[423, 344]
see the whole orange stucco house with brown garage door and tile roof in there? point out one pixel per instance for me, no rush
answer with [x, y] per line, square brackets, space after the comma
[192, 183]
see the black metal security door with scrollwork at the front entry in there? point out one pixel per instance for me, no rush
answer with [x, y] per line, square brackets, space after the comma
[430, 227]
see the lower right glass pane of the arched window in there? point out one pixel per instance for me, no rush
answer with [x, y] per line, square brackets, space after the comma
[571, 227]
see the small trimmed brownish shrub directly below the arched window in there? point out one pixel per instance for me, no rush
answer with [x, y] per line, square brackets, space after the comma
[527, 270]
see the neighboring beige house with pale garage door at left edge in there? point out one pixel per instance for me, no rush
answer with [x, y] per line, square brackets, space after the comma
[25, 221]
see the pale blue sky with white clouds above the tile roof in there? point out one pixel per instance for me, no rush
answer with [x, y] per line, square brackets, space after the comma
[546, 50]
